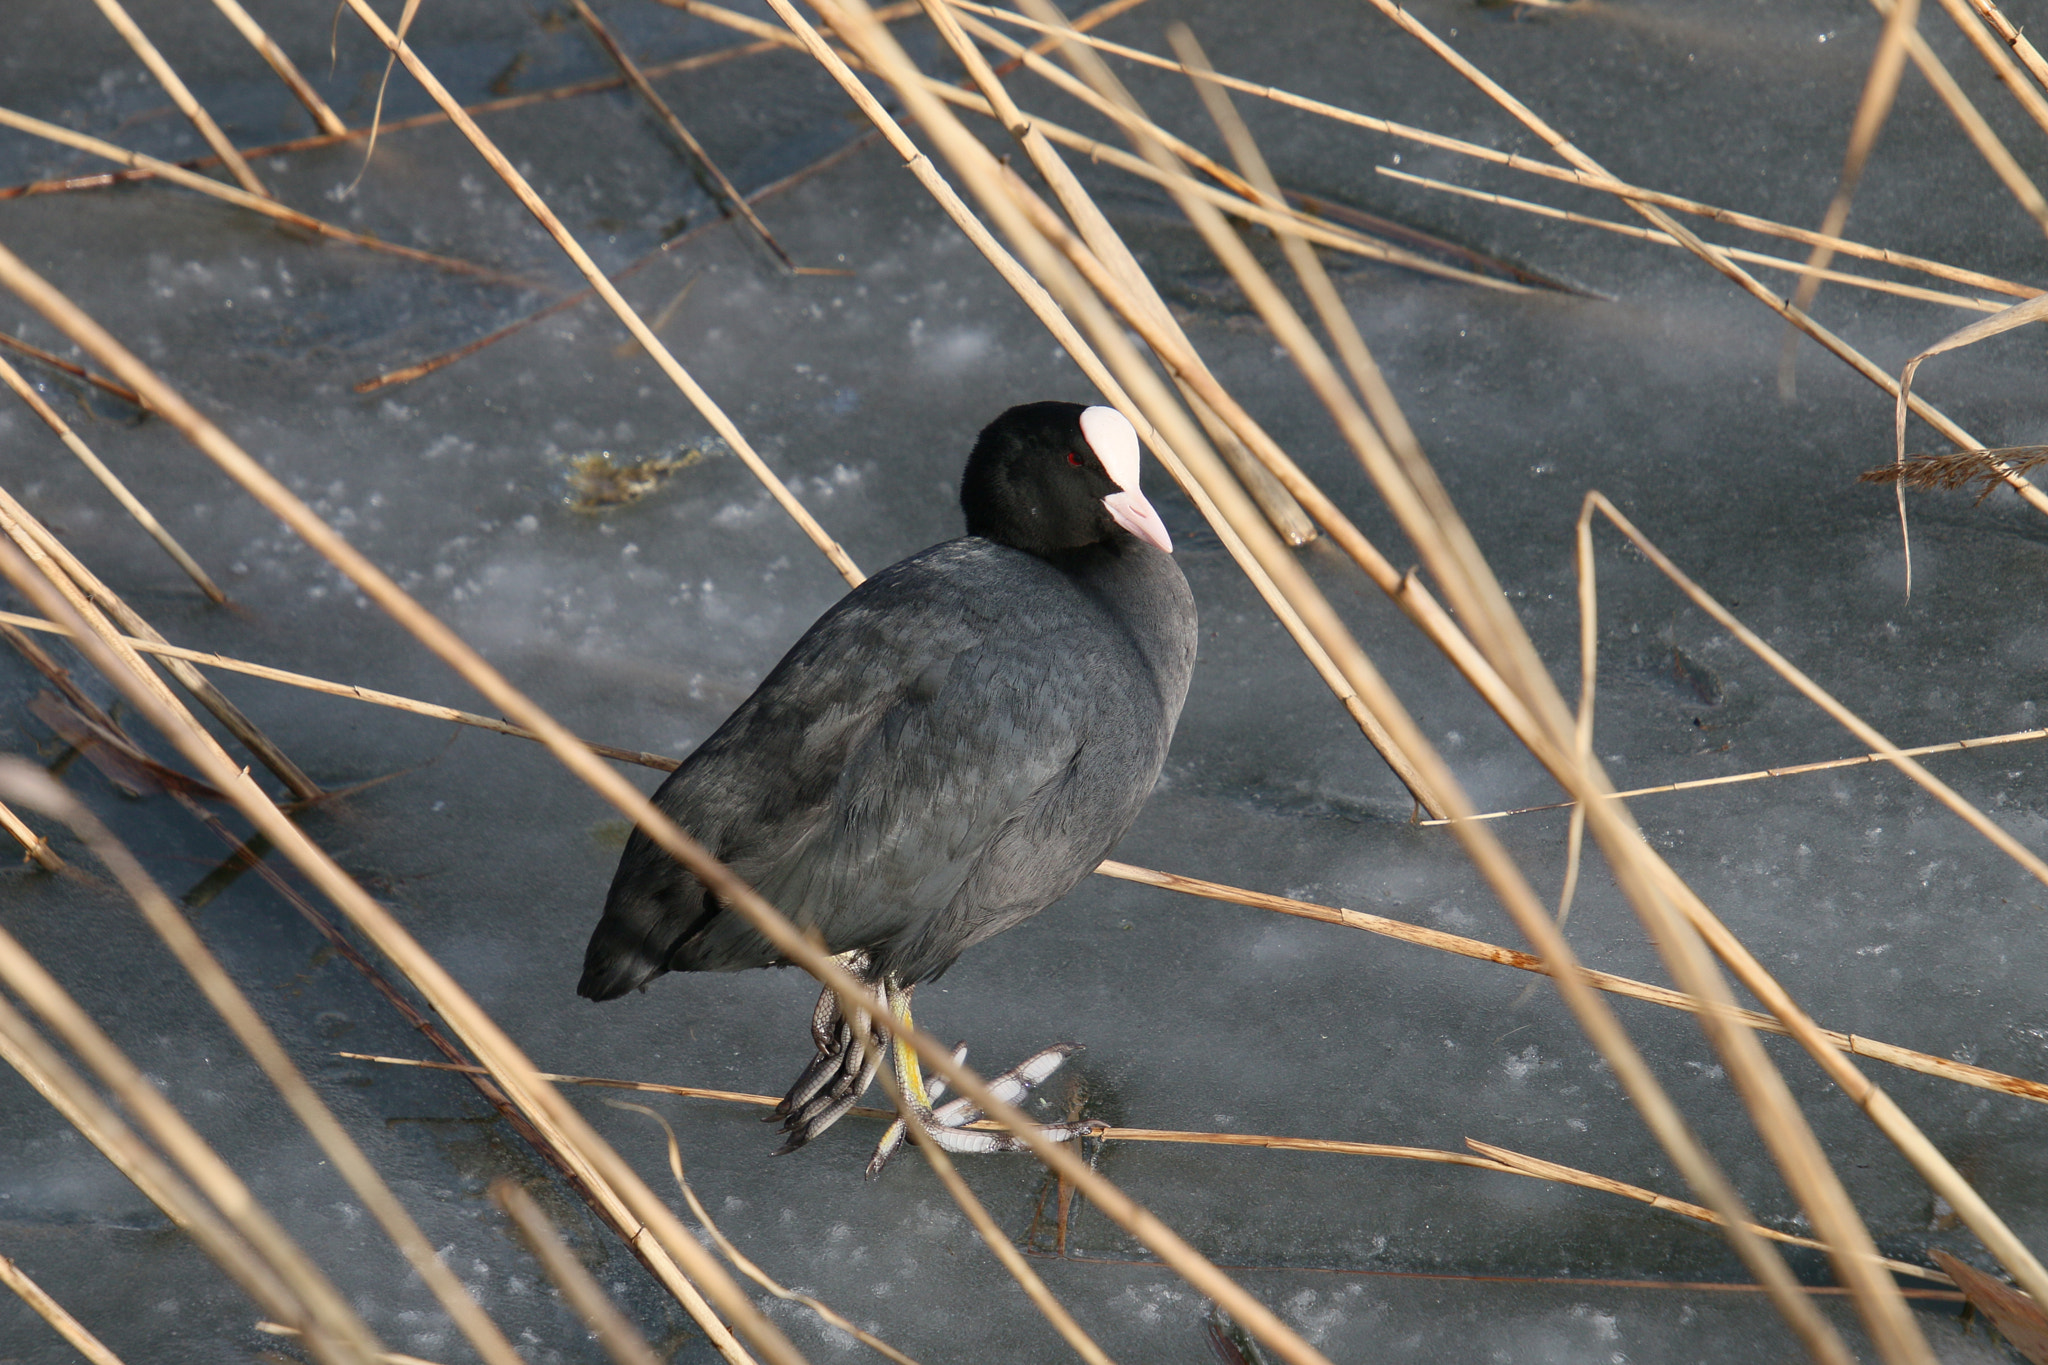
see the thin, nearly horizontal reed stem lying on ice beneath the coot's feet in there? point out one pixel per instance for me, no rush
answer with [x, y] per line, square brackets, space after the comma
[1492, 1159]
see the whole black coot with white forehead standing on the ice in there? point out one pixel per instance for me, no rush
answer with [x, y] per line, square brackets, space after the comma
[945, 754]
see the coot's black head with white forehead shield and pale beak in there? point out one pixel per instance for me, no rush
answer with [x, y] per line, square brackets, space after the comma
[1050, 478]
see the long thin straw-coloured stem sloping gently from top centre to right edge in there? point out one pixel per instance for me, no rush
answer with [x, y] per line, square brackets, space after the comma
[1603, 183]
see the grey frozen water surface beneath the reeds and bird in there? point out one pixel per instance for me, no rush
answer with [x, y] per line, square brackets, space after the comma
[646, 625]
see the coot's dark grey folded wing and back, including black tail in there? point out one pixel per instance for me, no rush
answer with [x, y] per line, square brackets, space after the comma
[861, 779]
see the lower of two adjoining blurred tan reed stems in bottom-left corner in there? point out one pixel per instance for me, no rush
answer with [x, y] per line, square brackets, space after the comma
[81, 1104]
